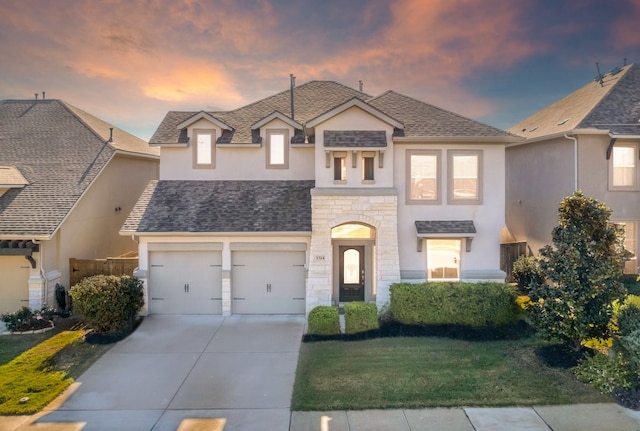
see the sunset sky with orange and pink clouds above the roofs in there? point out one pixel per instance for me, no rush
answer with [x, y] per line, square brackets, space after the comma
[130, 61]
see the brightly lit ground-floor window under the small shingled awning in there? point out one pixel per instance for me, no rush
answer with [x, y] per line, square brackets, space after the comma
[443, 259]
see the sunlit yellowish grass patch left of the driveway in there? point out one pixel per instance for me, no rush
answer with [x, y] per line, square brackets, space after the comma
[40, 366]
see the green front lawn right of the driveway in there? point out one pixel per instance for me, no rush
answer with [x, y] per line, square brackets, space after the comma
[413, 372]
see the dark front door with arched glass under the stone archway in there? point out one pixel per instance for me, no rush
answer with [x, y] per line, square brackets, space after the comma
[352, 272]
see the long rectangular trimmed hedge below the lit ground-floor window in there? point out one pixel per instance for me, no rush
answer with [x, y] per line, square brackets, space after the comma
[440, 303]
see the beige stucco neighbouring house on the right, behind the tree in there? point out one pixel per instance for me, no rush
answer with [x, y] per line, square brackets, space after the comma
[586, 141]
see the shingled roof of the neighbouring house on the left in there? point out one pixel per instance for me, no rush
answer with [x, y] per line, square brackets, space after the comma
[60, 150]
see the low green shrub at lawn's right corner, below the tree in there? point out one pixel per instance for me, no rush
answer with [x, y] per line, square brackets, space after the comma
[605, 373]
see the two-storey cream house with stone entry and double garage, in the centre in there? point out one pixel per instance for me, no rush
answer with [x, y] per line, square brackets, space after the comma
[269, 209]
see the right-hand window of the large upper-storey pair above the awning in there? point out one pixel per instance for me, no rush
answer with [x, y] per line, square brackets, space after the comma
[465, 177]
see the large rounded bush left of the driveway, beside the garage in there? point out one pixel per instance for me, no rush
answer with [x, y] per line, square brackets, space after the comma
[108, 304]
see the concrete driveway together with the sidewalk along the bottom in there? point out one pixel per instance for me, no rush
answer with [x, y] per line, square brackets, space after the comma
[236, 374]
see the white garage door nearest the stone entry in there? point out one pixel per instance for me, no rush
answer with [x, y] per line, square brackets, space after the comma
[268, 282]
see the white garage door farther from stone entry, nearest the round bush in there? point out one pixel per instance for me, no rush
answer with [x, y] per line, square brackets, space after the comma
[185, 282]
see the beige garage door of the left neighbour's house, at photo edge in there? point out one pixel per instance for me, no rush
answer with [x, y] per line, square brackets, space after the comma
[14, 287]
